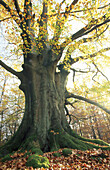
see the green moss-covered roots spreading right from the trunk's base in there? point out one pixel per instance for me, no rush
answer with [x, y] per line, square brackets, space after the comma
[65, 140]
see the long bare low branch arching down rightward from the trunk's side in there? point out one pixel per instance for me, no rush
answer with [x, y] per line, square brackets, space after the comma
[71, 95]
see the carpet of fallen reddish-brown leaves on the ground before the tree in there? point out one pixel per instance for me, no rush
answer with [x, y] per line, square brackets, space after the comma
[78, 160]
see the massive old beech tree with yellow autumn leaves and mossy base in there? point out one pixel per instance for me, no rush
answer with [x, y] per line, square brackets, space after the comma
[48, 42]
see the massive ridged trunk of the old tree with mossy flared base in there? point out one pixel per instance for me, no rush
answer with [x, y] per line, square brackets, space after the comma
[44, 124]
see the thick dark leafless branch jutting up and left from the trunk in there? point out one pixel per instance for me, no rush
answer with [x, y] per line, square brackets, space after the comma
[9, 69]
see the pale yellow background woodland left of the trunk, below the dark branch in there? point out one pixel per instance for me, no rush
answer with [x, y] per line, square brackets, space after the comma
[11, 106]
